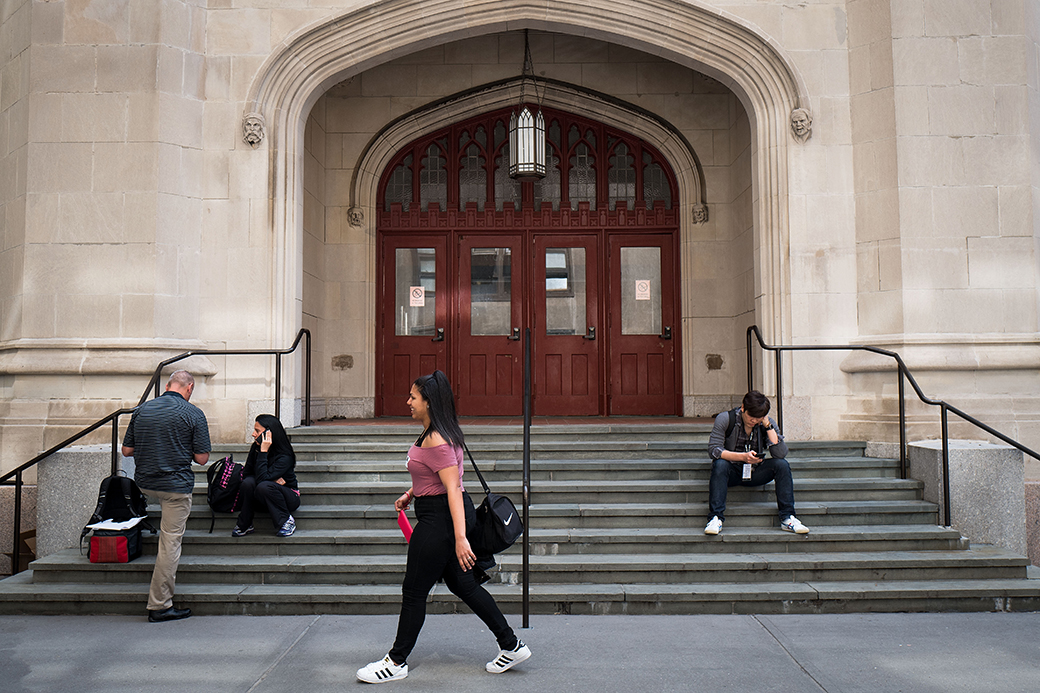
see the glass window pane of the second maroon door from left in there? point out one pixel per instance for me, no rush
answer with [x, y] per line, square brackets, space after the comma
[490, 292]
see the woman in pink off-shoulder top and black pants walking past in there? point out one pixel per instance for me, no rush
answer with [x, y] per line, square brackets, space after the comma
[439, 549]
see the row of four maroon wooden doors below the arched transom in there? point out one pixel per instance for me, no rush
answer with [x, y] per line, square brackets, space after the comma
[601, 307]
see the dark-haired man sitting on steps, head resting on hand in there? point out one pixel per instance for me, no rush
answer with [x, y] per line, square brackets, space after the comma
[738, 448]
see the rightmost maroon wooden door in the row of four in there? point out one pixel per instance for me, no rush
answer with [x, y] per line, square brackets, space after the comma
[642, 325]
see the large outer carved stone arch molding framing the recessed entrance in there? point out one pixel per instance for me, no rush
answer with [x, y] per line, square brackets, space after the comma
[690, 34]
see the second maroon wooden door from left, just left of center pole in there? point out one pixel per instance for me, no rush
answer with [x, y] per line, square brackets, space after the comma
[489, 354]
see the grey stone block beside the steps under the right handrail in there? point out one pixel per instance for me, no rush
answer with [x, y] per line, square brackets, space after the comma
[987, 489]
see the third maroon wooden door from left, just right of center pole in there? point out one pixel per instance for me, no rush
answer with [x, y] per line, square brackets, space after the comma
[565, 309]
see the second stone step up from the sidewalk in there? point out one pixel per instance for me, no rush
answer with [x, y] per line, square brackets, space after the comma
[69, 567]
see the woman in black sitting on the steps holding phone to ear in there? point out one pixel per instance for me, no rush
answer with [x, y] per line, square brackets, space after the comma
[270, 481]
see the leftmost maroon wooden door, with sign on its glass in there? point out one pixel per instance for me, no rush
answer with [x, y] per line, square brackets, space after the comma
[413, 318]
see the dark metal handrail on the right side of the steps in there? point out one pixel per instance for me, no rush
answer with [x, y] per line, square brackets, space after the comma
[945, 408]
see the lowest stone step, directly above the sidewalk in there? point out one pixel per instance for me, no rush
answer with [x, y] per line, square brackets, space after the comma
[20, 596]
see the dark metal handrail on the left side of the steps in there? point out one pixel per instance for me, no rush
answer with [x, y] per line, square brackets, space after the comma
[115, 420]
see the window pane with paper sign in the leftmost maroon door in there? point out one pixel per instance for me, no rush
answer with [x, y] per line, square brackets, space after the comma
[417, 292]
